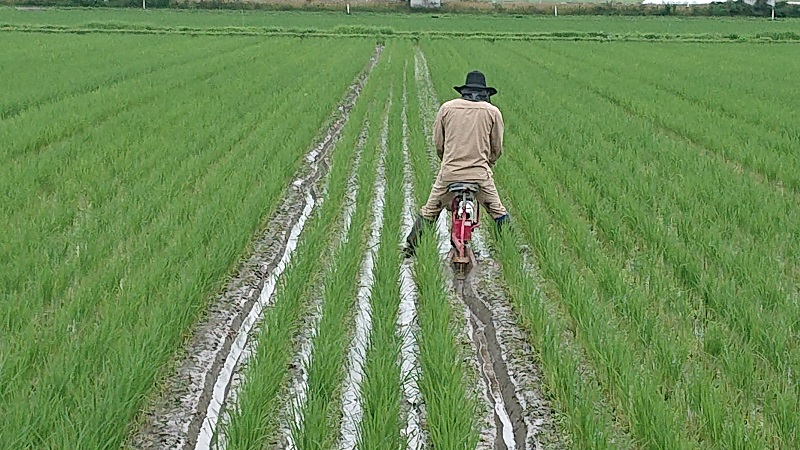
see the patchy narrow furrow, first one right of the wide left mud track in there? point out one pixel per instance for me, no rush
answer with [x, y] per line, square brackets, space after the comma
[298, 390]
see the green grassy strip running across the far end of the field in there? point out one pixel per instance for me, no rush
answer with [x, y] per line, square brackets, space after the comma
[399, 22]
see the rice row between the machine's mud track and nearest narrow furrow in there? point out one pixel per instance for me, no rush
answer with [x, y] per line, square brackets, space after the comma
[447, 383]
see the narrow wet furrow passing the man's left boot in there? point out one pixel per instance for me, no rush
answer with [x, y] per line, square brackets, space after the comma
[406, 320]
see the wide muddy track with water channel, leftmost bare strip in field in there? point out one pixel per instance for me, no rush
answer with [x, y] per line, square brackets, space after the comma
[186, 413]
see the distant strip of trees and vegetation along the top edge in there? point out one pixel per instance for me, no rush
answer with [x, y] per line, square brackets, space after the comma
[720, 9]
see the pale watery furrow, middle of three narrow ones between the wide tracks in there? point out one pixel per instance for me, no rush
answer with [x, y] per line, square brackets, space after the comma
[352, 411]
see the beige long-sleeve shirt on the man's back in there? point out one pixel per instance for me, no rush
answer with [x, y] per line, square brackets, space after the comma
[469, 139]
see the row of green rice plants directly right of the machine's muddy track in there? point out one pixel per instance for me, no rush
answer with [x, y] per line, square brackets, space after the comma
[570, 381]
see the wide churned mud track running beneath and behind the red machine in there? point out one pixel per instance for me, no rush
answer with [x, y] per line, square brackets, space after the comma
[504, 358]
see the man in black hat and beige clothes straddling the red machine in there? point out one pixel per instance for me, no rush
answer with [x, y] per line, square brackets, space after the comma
[468, 135]
